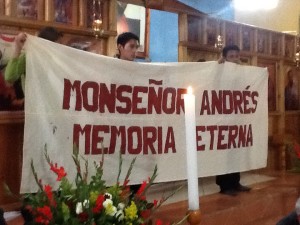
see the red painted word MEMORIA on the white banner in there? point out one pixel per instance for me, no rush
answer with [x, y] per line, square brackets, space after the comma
[133, 140]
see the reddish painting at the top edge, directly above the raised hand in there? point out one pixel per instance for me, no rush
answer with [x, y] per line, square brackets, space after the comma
[27, 9]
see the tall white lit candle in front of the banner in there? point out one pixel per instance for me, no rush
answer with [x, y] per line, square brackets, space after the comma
[191, 151]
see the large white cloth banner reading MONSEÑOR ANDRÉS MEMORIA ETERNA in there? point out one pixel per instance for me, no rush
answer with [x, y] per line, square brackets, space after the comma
[137, 108]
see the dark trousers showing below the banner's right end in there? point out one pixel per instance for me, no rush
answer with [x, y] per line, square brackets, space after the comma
[228, 181]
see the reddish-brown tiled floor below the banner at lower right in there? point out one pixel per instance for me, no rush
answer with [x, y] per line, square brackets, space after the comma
[273, 195]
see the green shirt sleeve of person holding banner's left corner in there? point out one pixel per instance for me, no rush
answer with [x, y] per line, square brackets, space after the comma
[15, 68]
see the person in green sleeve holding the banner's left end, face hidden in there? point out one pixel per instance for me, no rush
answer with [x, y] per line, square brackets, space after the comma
[16, 66]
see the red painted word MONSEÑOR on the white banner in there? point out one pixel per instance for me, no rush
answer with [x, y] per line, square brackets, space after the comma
[123, 99]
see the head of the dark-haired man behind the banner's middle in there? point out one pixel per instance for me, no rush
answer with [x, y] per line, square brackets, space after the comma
[127, 44]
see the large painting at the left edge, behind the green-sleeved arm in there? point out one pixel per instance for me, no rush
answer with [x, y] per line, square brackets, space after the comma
[11, 94]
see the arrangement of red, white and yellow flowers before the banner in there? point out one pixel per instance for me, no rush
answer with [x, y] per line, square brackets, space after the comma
[91, 202]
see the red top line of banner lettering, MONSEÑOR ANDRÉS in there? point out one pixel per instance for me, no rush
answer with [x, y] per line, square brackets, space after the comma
[141, 100]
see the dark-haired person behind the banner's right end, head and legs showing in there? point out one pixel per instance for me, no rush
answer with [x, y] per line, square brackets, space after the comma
[230, 183]
